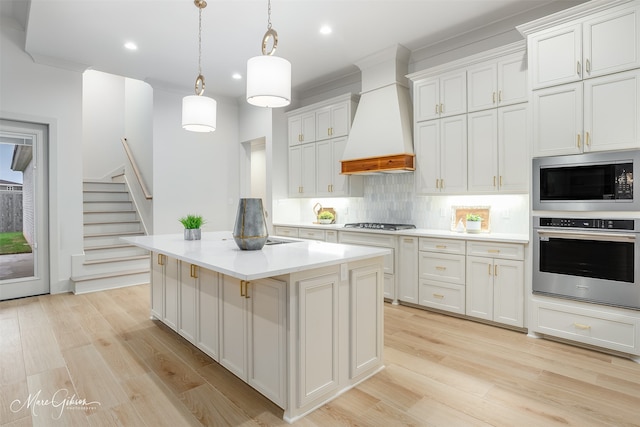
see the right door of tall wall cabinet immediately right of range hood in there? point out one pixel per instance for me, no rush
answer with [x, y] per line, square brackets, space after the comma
[453, 154]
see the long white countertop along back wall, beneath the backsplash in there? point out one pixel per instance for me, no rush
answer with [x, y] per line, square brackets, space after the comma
[424, 232]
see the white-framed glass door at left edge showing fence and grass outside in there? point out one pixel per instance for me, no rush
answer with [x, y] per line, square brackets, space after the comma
[24, 231]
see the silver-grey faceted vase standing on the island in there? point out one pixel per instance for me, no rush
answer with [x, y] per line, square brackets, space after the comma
[250, 232]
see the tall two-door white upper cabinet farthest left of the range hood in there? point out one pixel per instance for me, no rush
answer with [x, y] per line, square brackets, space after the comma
[302, 170]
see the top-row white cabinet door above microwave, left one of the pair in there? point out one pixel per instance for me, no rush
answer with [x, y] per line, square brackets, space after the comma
[556, 56]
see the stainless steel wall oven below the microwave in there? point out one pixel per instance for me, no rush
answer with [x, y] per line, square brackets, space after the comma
[587, 259]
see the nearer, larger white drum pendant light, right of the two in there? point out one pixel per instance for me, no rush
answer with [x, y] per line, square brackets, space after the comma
[268, 76]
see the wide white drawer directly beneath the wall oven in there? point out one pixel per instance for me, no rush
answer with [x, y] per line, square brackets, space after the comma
[599, 328]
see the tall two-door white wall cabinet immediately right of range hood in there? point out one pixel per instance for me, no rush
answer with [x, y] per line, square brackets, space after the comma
[441, 155]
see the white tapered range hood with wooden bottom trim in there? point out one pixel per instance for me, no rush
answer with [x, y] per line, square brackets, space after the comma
[380, 139]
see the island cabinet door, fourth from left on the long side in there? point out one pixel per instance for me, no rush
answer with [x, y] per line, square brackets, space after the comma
[208, 312]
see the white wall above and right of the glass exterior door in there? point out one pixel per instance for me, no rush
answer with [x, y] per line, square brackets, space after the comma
[40, 94]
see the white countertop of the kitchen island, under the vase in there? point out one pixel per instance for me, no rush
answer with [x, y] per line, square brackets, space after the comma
[218, 251]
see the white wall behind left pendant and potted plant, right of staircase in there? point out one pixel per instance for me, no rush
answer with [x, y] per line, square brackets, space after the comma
[193, 172]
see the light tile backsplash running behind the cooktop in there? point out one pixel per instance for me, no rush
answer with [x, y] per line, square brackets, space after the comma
[392, 198]
